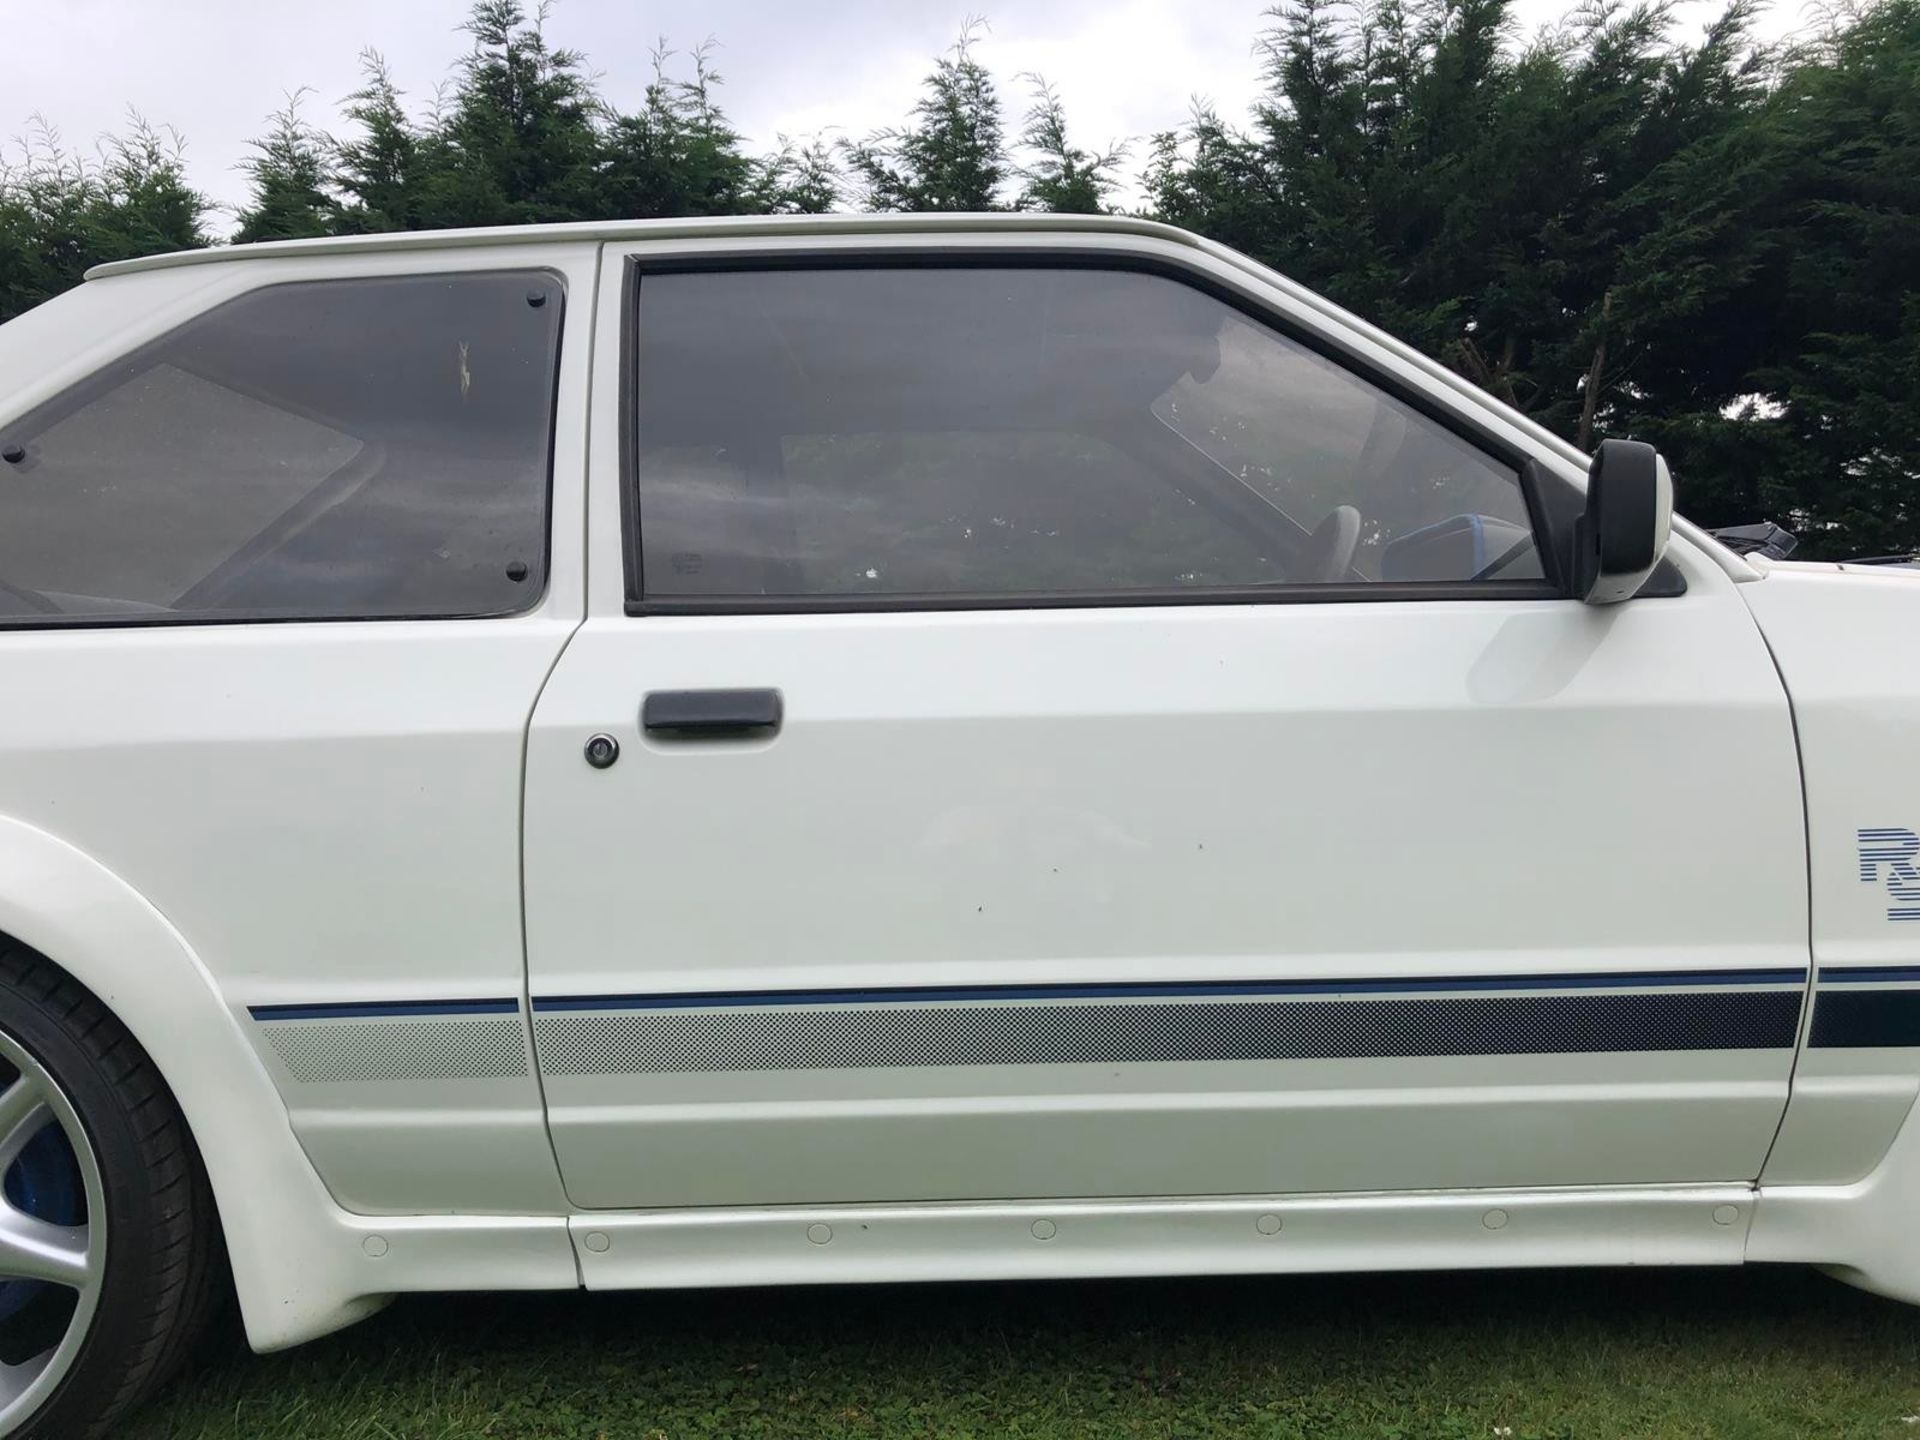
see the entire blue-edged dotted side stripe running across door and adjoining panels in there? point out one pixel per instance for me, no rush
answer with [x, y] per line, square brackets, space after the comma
[1095, 1024]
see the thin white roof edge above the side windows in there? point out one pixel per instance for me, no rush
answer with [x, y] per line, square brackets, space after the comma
[669, 229]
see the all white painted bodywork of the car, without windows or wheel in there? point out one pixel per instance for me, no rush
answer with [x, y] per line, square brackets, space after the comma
[224, 828]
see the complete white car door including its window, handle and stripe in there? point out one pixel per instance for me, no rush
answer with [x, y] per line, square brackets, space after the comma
[1070, 725]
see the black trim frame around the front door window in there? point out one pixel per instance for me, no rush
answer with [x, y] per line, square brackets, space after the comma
[1550, 517]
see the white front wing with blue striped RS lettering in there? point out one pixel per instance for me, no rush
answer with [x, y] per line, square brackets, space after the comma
[1838, 635]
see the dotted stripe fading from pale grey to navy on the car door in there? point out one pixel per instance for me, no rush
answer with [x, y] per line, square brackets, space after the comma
[598, 1038]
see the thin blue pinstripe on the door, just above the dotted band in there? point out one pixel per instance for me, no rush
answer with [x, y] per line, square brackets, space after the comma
[1172, 990]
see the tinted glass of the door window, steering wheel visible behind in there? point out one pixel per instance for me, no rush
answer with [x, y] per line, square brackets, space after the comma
[1003, 433]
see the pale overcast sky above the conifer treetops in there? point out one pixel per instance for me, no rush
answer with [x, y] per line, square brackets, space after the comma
[216, 68]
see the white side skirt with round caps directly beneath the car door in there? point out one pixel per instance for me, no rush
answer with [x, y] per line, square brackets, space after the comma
[1059, 1239]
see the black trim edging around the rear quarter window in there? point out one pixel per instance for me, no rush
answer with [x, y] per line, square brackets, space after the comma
[91, 387]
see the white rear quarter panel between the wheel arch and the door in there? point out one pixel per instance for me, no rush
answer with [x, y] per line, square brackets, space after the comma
[389, 757]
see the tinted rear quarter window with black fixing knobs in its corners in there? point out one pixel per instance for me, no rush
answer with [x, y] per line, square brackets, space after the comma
[329, 450]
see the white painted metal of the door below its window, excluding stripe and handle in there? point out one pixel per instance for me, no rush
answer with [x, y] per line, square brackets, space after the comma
[959, 771]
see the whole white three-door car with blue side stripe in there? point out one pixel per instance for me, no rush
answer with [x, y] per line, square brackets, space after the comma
[880, 750]
